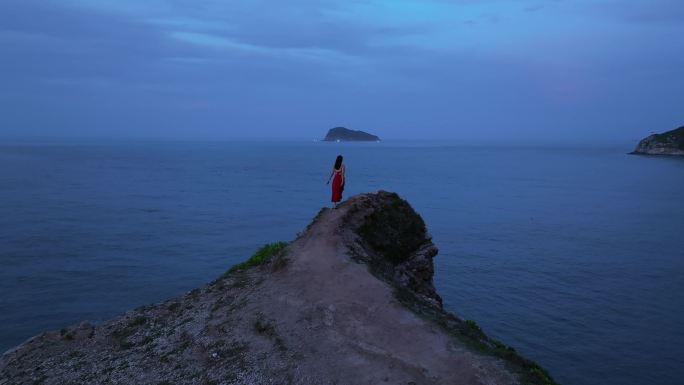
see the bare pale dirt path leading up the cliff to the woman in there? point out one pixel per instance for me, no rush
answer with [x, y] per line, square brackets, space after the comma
[342, 320]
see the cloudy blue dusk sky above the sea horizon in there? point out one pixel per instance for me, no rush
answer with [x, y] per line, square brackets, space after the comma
[527, 70]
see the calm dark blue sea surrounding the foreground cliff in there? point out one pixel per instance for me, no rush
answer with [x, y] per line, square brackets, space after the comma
[574, 256]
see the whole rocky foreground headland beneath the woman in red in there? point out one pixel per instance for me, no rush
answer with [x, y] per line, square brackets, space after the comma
[350, 301]
